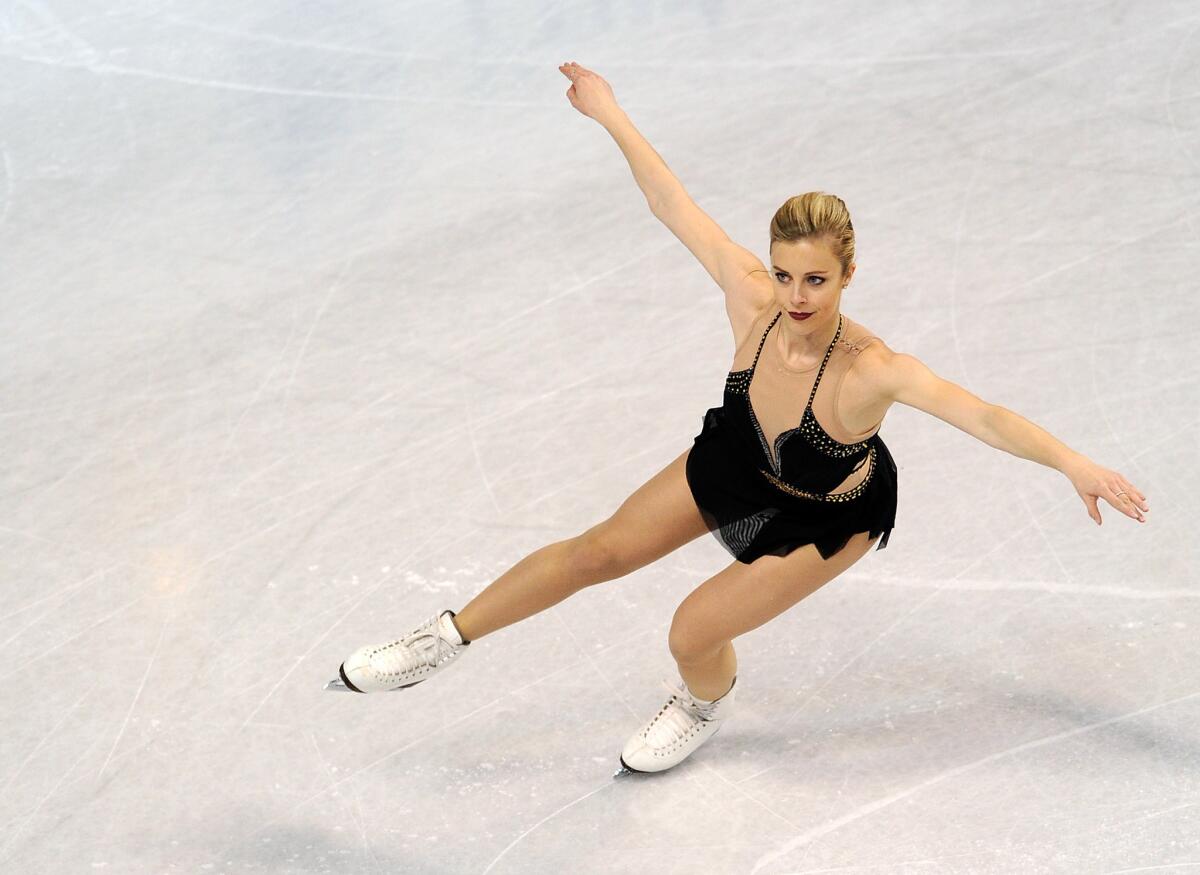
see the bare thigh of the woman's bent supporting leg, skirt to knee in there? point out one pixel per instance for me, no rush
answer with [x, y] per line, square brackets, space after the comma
[743, 597]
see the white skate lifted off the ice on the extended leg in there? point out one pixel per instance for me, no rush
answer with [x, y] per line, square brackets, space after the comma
[401, 664]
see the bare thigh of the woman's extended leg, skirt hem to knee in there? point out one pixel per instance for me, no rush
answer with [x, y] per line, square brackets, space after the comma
[656, 520]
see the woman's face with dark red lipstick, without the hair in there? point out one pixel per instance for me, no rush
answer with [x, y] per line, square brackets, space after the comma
[808, 279]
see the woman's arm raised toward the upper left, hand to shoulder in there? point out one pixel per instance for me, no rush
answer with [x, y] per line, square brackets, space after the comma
[725, 261]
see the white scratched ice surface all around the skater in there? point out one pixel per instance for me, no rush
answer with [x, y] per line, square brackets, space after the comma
[320, 317]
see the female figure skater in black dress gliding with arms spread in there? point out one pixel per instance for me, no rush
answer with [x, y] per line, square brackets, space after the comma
[797, 495]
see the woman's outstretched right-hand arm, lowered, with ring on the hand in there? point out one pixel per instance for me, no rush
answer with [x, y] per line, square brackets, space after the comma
[909, 381]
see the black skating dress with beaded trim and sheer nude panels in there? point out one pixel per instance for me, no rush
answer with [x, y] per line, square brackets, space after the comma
[757, 502]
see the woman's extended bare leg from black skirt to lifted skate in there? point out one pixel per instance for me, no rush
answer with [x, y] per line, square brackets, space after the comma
[656, 520]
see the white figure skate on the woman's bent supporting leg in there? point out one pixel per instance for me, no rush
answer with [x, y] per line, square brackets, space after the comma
[681, 727]
